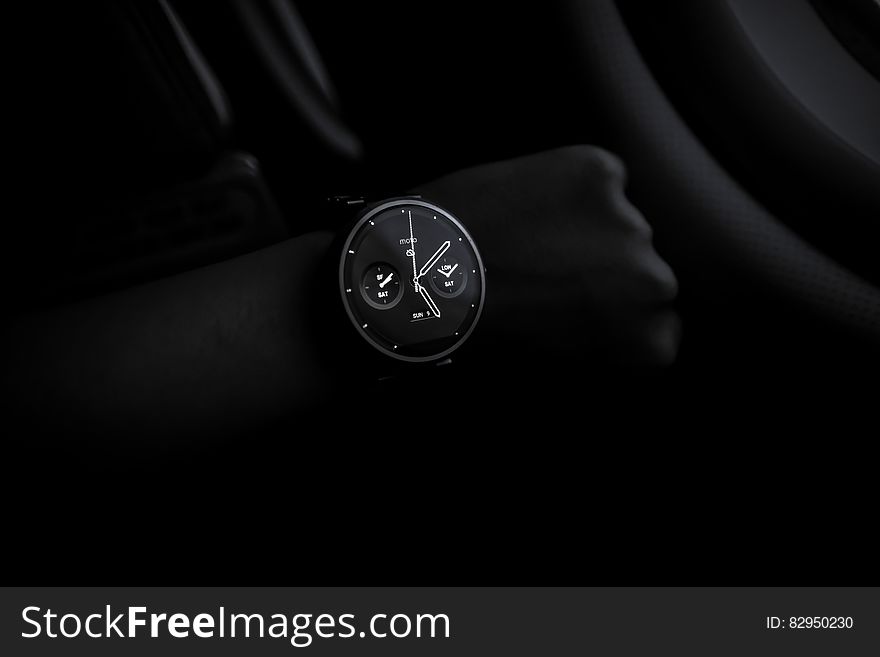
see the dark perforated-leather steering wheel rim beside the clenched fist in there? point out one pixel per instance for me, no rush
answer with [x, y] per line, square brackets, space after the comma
[708, 226]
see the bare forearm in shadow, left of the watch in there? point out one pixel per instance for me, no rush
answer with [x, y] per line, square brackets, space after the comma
[207, 351]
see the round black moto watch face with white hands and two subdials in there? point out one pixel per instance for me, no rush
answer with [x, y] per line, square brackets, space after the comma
[412, 280]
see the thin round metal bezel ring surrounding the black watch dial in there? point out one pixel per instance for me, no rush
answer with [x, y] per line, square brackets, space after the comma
[368, 214]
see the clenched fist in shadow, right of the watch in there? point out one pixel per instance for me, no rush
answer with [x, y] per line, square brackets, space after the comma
[572, 271]
